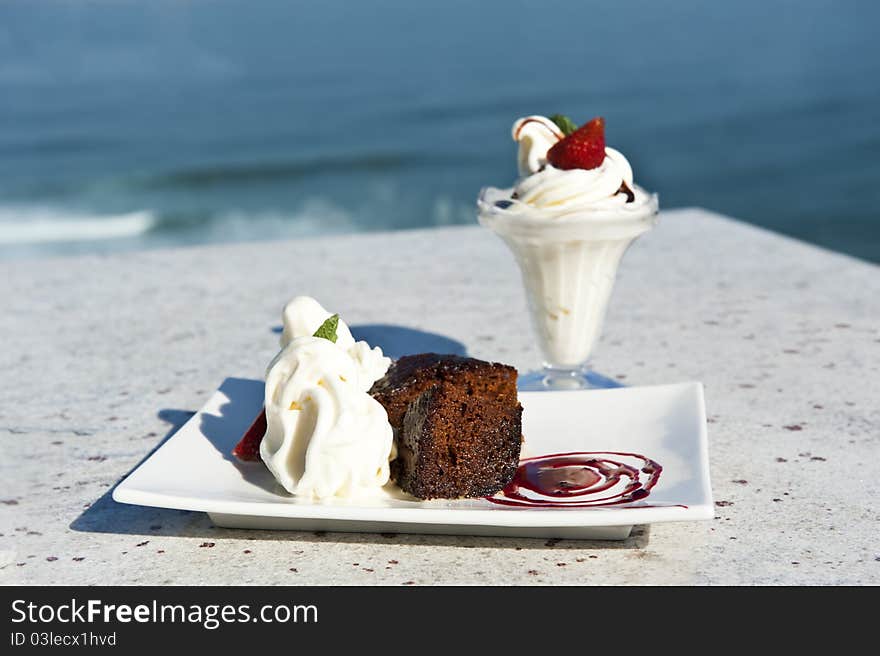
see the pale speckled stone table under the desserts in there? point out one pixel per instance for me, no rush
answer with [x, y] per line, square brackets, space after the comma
[103, 357]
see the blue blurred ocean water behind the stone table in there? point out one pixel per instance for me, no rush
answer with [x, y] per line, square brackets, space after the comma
[155, 123]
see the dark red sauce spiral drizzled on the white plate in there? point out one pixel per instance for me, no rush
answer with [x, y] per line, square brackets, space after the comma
[580, 480]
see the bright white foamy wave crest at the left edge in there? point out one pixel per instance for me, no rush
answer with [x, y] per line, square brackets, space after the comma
[40, 225]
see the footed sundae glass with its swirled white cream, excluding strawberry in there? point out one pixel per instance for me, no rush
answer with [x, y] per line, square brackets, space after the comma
[568, 230]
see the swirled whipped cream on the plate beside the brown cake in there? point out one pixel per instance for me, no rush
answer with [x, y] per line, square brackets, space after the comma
[326, 436]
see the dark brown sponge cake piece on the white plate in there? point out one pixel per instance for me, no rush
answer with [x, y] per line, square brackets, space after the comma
[458, 424]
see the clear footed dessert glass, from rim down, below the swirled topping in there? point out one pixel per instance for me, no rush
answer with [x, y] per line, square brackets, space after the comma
[568, 265]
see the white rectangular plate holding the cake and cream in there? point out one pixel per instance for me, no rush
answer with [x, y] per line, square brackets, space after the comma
[194, 469]
